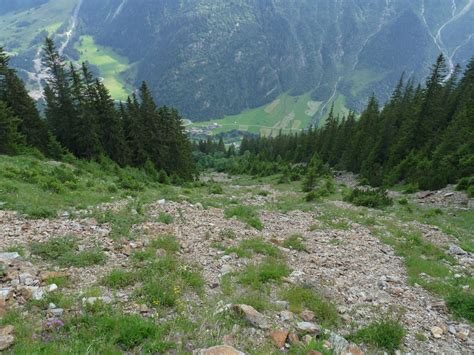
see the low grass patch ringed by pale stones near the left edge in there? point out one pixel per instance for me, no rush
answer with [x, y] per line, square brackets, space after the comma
[63, 251]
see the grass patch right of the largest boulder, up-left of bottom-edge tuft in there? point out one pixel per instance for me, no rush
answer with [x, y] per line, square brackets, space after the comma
[304, 297]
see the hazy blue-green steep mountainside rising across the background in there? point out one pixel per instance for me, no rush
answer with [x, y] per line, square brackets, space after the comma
[213, 58]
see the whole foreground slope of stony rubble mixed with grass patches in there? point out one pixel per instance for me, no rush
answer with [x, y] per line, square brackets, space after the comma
[361, 264]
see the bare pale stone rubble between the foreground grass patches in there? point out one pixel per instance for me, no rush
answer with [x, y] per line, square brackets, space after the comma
[349, 266]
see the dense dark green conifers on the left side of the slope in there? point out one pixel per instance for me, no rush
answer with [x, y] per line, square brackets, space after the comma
[81, 118]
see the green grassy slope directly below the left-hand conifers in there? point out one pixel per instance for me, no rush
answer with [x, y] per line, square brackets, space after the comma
[41, 189]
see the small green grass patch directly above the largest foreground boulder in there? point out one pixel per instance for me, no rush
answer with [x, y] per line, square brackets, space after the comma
[269, 270]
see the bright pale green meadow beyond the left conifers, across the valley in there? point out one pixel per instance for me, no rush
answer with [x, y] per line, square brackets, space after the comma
[110, 64]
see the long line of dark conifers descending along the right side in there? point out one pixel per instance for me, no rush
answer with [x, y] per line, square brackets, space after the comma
[424, 135]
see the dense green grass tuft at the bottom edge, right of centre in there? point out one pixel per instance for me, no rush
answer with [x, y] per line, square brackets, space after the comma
[386, 333]
